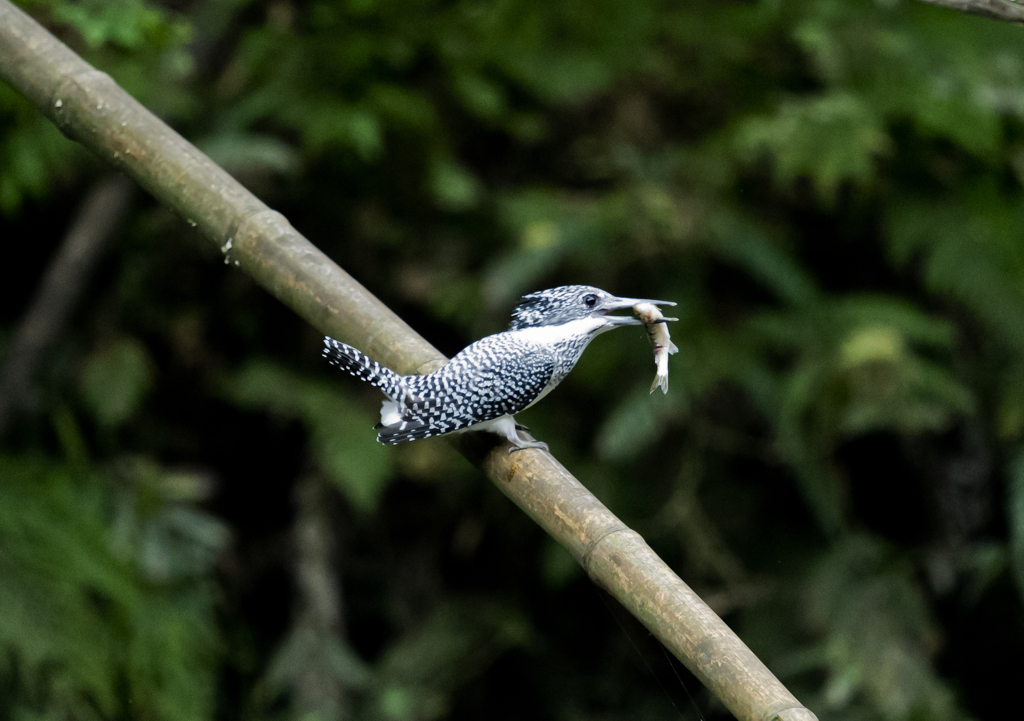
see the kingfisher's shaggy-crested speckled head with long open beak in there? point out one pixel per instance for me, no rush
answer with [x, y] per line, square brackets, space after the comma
[558, 307]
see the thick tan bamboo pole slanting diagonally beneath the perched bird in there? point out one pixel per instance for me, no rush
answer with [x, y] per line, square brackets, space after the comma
[90, 107]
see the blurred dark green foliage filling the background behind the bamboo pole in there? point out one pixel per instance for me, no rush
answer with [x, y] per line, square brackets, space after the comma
[832, 191]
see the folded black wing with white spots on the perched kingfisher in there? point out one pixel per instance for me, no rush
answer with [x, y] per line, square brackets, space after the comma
[497, 376]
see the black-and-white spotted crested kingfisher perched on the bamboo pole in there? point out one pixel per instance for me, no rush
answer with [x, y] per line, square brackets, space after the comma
[489, 383]
